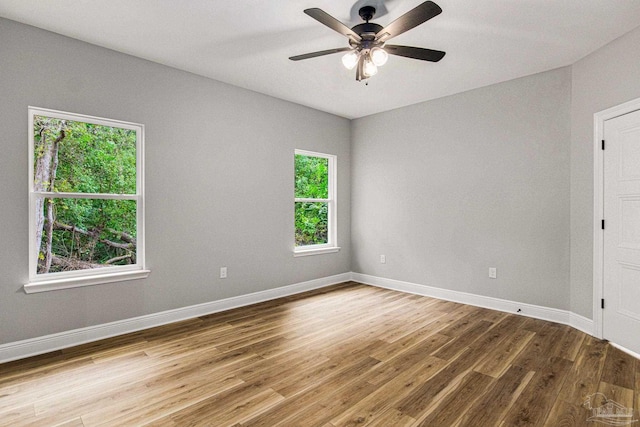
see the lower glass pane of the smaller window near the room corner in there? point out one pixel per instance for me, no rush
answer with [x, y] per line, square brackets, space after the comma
[311, 223]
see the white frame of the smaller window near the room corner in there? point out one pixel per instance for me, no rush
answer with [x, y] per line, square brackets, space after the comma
[332, 242]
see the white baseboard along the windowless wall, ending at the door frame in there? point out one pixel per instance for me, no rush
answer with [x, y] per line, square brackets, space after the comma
[539, 312]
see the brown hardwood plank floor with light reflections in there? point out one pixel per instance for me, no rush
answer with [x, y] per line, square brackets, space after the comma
[342, 356]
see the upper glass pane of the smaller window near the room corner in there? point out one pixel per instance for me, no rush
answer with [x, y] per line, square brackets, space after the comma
[312, 177]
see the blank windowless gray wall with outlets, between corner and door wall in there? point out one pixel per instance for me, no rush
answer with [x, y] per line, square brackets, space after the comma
[448, 188]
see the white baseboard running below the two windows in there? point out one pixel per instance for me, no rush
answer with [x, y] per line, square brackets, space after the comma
[40, 345]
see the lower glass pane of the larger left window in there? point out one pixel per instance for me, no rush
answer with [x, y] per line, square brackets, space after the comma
[79, 234]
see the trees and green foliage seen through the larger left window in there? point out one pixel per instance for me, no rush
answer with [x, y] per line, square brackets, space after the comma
[84, 233]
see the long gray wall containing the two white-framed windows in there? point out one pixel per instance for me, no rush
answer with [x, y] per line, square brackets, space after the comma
[219, 181]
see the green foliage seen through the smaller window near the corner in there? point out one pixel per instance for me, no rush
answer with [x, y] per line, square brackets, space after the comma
[311, 217]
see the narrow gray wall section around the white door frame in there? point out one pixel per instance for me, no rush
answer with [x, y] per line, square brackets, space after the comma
[606, 78]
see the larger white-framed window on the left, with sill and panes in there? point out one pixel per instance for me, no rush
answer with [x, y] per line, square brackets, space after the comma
[86, 210]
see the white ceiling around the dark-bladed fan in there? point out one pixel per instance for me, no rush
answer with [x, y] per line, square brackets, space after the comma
[247, 42]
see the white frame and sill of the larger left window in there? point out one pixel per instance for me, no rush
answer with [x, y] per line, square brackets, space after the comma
[73, 279]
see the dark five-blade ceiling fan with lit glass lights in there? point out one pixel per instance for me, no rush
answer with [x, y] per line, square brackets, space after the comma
[367, 42]
